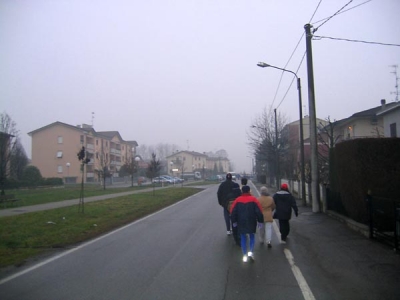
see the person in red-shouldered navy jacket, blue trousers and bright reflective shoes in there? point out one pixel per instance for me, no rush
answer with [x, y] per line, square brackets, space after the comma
[246, 211]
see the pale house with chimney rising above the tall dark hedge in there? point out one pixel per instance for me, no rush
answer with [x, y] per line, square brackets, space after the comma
[368, 123]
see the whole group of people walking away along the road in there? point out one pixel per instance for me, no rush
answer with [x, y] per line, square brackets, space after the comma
[244, 213]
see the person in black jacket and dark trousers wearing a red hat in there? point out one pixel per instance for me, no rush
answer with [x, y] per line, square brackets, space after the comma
[284, 202]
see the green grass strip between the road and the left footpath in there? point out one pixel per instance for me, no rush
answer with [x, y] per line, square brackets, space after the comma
[29, 235]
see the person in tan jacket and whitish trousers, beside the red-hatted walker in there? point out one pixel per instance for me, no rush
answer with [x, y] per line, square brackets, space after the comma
[268, 206]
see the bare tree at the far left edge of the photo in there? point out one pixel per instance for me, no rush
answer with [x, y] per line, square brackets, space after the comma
[8, 144]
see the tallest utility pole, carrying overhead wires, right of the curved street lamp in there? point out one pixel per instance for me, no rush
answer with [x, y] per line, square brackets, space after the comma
[313, 123]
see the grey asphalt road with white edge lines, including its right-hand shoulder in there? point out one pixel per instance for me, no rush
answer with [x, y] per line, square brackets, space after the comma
[182, 252]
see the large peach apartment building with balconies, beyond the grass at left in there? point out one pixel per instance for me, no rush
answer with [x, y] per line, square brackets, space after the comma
[55, 148]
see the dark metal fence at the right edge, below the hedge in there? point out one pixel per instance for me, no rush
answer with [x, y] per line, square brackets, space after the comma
[384, 220]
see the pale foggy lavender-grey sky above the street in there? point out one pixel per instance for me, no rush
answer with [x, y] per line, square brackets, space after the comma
[184, 72]
